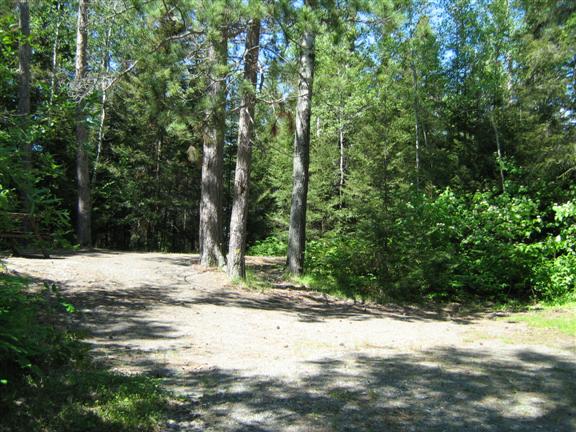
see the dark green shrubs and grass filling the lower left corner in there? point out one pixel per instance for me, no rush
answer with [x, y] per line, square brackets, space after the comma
[49, 382]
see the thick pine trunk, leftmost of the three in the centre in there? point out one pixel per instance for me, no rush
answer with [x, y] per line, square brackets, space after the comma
[213, 158]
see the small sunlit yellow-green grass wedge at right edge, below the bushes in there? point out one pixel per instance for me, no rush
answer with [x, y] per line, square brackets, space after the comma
[560, 318]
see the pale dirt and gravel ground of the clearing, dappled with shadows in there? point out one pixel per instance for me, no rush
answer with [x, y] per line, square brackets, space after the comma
[293, 360]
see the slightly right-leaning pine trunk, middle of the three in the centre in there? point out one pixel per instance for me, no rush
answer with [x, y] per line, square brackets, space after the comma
[237, 245]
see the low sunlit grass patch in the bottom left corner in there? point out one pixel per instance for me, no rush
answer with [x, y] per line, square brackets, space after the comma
[86, 399]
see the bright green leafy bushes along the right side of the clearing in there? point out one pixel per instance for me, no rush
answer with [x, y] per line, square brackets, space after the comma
[483, 245]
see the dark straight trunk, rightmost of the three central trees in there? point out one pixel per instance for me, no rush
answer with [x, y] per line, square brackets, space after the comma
[297, 230]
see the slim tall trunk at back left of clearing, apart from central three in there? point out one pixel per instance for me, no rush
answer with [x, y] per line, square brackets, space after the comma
[83, 224]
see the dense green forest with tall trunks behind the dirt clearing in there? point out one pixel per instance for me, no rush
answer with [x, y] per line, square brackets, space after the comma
[392, 149]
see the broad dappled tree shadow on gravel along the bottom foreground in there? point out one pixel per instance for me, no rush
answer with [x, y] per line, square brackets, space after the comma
[439, 390]
